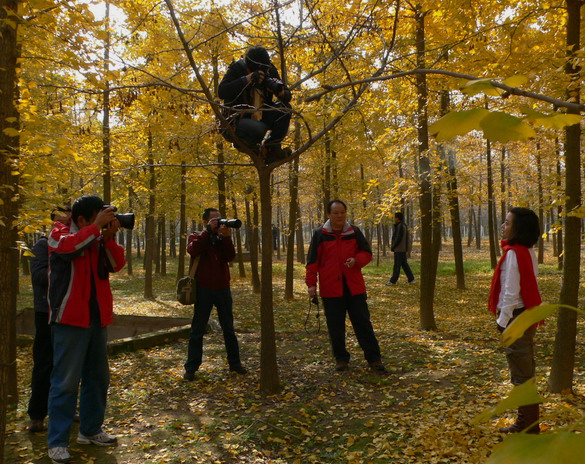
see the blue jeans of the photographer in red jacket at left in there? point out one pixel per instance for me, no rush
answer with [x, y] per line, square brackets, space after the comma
[78, 353]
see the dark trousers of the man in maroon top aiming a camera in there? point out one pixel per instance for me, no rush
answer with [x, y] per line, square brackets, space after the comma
[206, 299]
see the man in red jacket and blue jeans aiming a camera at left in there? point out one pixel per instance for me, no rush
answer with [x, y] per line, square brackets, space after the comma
[81, 255]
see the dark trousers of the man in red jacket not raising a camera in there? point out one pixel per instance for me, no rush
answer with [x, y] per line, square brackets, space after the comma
[359, 315]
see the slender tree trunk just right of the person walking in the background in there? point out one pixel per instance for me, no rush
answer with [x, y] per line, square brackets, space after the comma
[428, 269]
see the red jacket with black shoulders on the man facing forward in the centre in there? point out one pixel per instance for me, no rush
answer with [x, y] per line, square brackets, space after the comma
[327, 256]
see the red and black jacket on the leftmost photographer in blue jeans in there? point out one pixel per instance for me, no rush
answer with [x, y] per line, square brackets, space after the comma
[73, 264]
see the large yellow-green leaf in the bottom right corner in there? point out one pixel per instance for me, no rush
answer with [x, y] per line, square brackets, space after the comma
[558, 448]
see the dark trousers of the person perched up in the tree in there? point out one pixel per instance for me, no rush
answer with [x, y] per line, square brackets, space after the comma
[276, 119]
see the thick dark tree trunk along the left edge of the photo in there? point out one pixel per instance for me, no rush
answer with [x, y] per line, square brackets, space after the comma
[9, 153]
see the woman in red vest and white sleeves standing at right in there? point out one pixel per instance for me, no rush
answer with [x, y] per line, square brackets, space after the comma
[514, 290]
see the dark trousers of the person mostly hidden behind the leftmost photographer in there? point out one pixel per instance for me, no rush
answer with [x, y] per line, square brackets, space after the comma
[42, 367]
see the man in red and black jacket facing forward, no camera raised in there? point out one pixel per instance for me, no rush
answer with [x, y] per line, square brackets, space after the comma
[337, 254]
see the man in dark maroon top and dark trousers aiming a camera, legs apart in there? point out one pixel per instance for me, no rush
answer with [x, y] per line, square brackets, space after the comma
[215, 250]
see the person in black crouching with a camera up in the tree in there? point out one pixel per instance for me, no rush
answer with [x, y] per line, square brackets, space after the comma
[247, 89]
